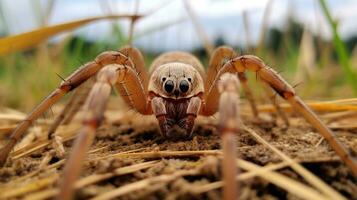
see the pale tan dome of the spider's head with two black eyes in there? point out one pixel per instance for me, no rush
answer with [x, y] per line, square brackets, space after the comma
[176, 81]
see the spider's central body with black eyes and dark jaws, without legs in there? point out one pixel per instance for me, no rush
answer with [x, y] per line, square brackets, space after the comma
[176, 90]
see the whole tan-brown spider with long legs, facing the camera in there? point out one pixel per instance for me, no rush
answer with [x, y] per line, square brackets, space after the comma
[176, 90]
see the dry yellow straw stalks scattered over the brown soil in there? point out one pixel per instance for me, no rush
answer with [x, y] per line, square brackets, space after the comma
[40, 182]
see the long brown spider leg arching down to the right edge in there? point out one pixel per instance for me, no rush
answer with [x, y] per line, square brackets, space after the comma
[275, 81]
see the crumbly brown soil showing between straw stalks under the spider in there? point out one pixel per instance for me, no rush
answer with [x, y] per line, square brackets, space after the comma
[122, 134]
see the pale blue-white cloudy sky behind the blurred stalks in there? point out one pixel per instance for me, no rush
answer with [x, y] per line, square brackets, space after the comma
[219, 18]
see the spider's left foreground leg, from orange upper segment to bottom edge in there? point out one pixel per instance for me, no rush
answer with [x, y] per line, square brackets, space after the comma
[123, 77]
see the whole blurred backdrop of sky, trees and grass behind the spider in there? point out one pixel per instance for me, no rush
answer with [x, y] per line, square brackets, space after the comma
[312, 43]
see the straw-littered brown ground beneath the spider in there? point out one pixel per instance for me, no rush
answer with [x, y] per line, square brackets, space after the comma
[130, 160]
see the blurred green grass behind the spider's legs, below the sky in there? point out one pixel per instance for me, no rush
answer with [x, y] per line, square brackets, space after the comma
[27, 77]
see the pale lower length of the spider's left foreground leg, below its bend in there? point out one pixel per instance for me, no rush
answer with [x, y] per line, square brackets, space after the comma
[94, 108]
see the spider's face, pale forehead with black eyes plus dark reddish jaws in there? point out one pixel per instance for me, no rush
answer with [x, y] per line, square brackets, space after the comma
[177, 83]
